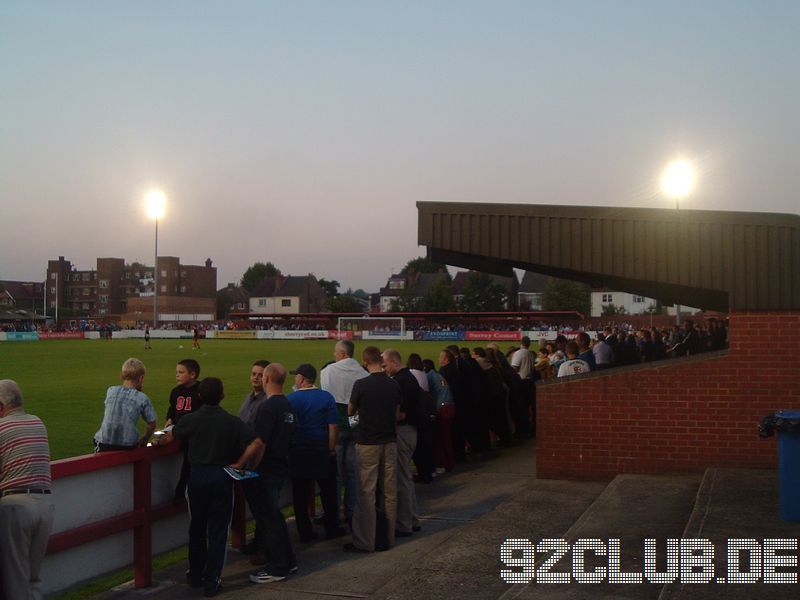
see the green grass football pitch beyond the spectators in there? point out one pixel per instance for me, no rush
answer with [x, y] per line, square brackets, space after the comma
[64, 382]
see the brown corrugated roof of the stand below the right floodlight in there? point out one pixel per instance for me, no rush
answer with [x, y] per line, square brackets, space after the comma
[717, 260]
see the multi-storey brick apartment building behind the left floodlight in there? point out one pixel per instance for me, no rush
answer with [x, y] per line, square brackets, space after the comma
[118, 291]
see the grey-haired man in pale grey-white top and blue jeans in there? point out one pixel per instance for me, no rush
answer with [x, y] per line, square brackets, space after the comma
[338, 379]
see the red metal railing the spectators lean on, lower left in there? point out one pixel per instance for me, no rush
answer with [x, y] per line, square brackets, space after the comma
[143, 515]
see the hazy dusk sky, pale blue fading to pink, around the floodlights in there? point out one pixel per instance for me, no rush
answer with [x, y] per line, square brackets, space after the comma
[303, 133]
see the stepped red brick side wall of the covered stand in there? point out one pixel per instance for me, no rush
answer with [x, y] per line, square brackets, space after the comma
[678, 417]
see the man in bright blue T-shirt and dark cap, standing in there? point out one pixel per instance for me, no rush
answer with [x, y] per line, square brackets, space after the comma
[313, 453]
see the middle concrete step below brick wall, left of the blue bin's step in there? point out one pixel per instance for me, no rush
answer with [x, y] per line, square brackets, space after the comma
[630, 509]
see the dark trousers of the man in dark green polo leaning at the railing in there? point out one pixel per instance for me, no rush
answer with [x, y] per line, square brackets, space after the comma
[210, 509]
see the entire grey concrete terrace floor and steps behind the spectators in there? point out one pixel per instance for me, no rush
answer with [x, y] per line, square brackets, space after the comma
[466, 516]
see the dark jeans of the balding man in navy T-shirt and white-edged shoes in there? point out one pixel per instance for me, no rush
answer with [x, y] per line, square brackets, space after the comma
[269, 520]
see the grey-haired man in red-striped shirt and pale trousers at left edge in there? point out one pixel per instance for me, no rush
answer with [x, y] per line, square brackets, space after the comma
[26, 507]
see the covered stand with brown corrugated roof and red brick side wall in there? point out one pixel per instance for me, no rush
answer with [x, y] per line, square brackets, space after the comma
[679, 416]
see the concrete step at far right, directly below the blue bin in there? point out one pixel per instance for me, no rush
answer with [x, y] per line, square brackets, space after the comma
[731, 504]
